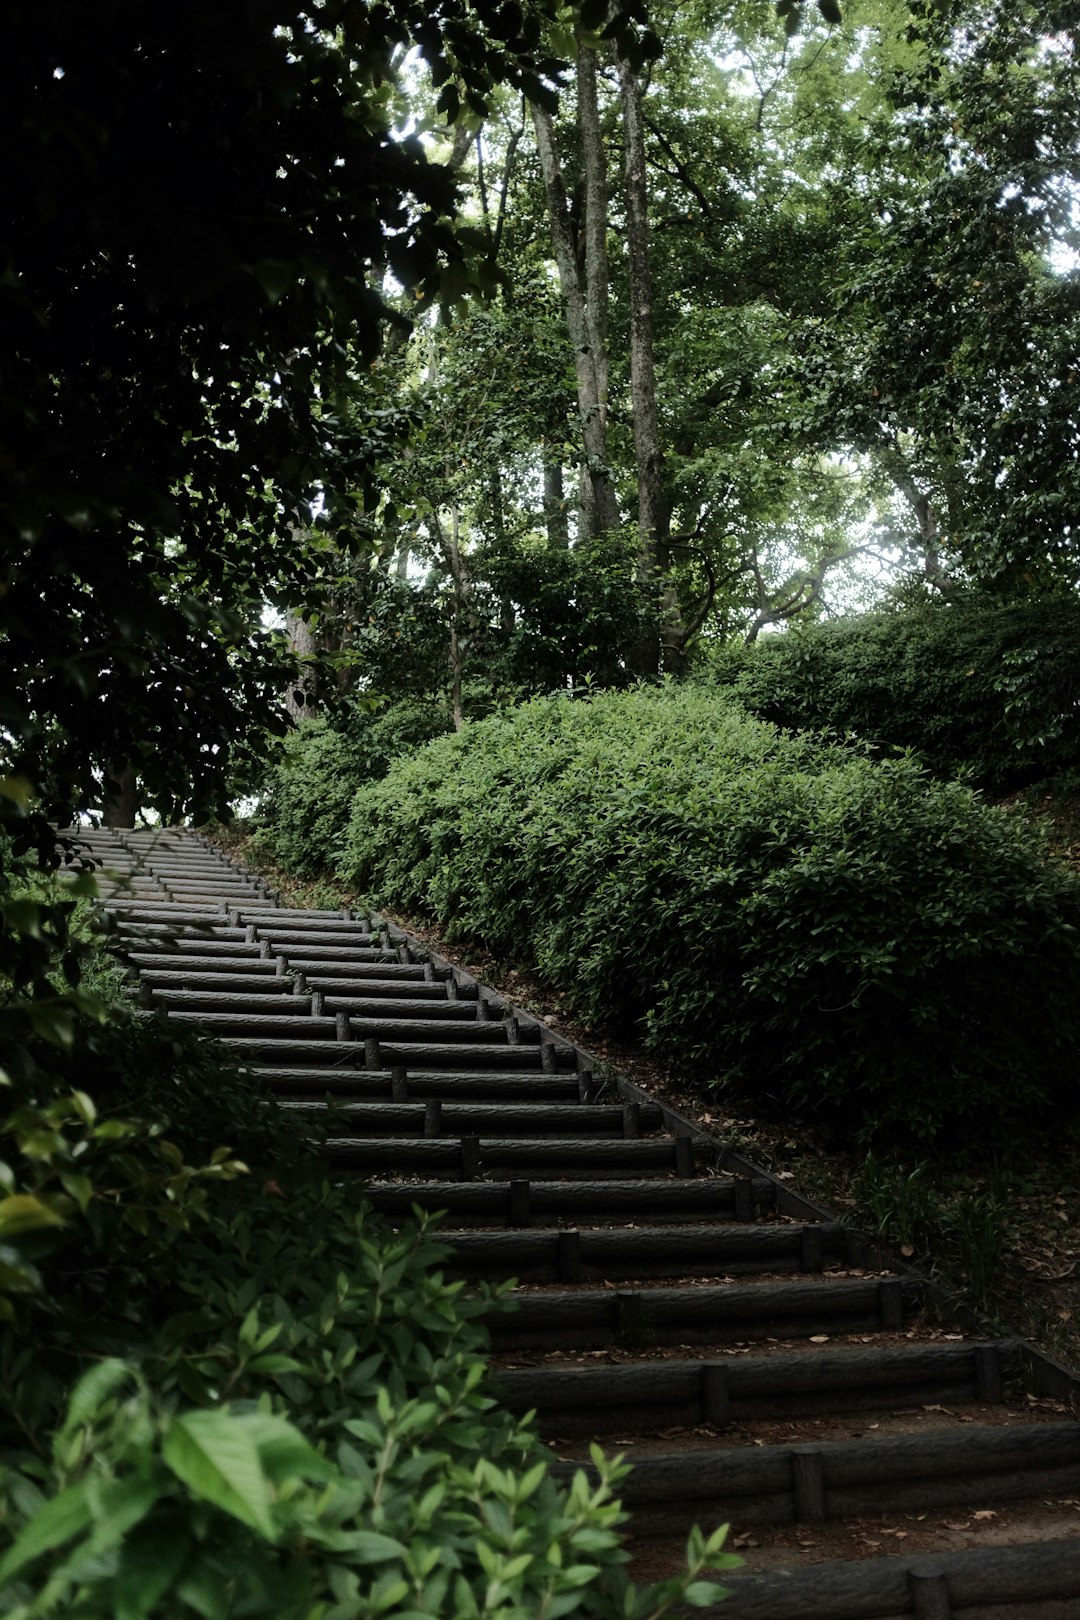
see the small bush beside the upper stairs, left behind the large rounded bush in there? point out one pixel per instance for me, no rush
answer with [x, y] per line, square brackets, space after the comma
[310, 791]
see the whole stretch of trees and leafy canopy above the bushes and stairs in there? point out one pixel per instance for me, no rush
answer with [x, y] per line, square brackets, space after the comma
[775, 313]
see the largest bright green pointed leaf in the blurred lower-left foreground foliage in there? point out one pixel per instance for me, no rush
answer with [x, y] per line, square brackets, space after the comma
[216, 1457]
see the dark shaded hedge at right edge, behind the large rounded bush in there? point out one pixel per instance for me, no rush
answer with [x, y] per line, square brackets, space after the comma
[993, 688]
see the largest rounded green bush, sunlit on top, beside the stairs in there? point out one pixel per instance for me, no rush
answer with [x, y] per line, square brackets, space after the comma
[840, 932]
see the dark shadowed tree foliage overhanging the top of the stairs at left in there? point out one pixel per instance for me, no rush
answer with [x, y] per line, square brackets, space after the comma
[202, 213]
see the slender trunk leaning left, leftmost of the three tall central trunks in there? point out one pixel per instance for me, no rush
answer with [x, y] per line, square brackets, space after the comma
[600, 509]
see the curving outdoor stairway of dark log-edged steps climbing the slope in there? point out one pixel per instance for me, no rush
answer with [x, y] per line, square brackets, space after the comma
[750, 1355]
